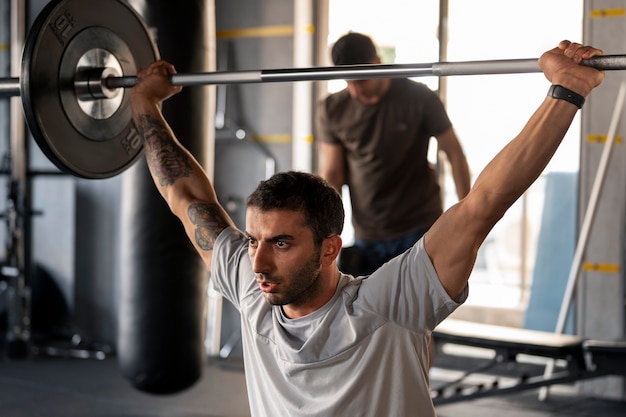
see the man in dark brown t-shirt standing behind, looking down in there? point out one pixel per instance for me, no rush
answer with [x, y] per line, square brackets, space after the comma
[374, 137]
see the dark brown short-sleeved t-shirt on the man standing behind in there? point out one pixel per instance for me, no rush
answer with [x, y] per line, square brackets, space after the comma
[393, 187]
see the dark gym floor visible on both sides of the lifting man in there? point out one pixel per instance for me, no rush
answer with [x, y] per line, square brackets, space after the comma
[63, 387]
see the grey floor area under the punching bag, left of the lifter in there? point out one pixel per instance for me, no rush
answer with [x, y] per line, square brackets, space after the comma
[53, 387]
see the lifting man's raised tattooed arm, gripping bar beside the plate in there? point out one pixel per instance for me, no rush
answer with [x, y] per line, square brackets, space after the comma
[177, 175]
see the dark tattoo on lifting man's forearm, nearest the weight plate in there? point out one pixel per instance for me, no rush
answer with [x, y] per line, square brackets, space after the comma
[167, 161]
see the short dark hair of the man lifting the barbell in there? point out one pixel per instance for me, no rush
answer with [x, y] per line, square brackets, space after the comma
[300, 191]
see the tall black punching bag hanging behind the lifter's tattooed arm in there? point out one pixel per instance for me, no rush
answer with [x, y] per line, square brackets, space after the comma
[163, 280]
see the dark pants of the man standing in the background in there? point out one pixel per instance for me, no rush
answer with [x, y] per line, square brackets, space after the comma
[366, 256]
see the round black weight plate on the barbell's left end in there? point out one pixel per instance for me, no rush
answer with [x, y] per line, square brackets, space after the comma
[64, 31]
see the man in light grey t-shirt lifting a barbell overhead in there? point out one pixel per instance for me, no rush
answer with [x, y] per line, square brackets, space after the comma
[319, 342]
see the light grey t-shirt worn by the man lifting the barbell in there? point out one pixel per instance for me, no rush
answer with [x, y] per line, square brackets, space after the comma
[365, 353]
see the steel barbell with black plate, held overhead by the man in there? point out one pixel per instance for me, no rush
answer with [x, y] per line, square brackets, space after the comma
[76, 62]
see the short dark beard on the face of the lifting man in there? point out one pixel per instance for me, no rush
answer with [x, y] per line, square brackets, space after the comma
[300, 285]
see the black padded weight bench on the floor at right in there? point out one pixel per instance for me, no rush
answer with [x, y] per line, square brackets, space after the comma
[578, 359]
